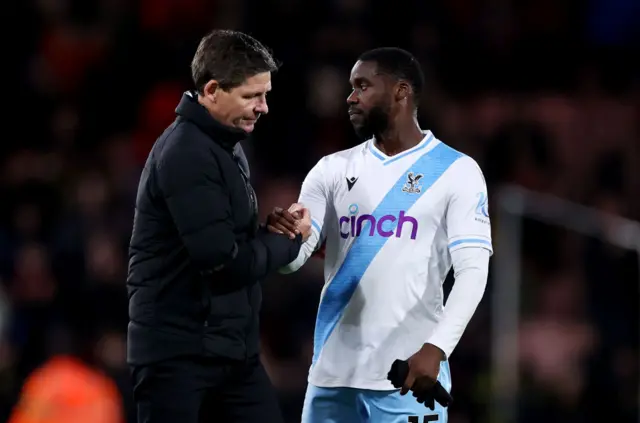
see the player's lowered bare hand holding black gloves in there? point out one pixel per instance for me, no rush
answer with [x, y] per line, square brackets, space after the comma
[424, 367]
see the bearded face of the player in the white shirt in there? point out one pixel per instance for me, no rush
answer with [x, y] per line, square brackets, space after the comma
[370, 100]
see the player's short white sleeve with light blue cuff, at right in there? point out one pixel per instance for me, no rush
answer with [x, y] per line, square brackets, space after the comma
[467, 217]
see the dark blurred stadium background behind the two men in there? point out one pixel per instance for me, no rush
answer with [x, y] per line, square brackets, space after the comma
[544, 94]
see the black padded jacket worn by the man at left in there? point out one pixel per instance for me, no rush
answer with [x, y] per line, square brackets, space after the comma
[197, 252]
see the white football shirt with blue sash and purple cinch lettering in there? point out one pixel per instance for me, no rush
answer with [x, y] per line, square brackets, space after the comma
[390, 225]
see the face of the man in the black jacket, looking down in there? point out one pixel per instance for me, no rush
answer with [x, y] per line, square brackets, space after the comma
[240, 107]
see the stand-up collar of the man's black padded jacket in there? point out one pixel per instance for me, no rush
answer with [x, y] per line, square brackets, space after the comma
[191, 110]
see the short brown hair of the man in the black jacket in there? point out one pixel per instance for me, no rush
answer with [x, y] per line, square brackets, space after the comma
[229, 57]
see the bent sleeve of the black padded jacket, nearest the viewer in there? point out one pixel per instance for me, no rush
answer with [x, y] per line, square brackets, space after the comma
[192, 185]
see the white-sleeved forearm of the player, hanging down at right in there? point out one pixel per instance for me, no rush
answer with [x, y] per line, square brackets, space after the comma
[471, 266]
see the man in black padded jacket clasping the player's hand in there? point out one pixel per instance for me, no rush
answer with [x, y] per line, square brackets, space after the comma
[197, 252]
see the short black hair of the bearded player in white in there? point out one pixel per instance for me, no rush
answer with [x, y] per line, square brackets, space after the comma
[399, 64]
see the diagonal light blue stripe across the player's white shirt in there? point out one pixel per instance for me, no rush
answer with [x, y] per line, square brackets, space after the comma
[365, 248]
